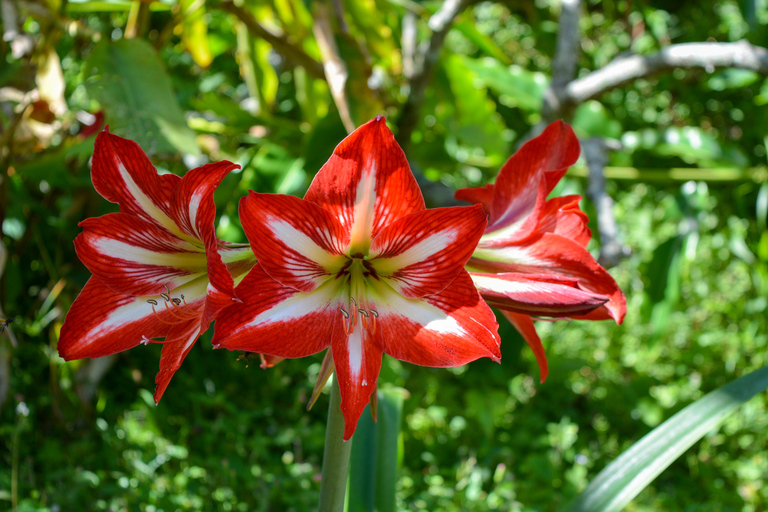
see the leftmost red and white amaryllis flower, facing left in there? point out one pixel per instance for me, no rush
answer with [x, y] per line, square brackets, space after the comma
[158, 269]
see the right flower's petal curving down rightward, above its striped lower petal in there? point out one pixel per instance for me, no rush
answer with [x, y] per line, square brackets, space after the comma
[555, 254]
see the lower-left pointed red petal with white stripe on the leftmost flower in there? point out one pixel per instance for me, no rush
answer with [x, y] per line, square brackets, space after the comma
[101, 322]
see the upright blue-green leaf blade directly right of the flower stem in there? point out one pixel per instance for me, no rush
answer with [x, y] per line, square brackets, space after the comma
[374, 461]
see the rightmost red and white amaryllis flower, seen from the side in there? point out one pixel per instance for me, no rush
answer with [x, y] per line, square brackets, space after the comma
[532, 259]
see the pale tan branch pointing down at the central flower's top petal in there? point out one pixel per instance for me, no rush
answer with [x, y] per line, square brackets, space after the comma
[334, 66]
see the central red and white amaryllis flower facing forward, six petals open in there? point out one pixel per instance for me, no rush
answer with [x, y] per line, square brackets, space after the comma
[359, 265]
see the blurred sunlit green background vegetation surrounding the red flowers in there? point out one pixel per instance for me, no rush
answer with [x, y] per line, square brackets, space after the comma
[194, 81]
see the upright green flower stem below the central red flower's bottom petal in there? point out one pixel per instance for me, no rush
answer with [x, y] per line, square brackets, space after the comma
[335, 457]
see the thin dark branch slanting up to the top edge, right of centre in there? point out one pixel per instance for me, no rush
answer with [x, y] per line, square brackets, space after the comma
[440, 23]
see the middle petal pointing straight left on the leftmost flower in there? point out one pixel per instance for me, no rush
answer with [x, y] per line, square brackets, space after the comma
[136, 257]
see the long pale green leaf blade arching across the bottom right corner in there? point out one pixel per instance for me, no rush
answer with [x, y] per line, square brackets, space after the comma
[633, 470]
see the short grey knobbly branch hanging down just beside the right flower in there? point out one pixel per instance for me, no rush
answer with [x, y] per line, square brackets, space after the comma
[611, 250]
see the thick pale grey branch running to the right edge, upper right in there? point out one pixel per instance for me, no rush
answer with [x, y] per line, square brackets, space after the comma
[708, 56]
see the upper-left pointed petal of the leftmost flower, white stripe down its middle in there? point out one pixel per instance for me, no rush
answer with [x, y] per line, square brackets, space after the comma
[122, 174]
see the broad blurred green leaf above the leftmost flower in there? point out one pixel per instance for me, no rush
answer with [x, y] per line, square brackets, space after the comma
[129, 81]
